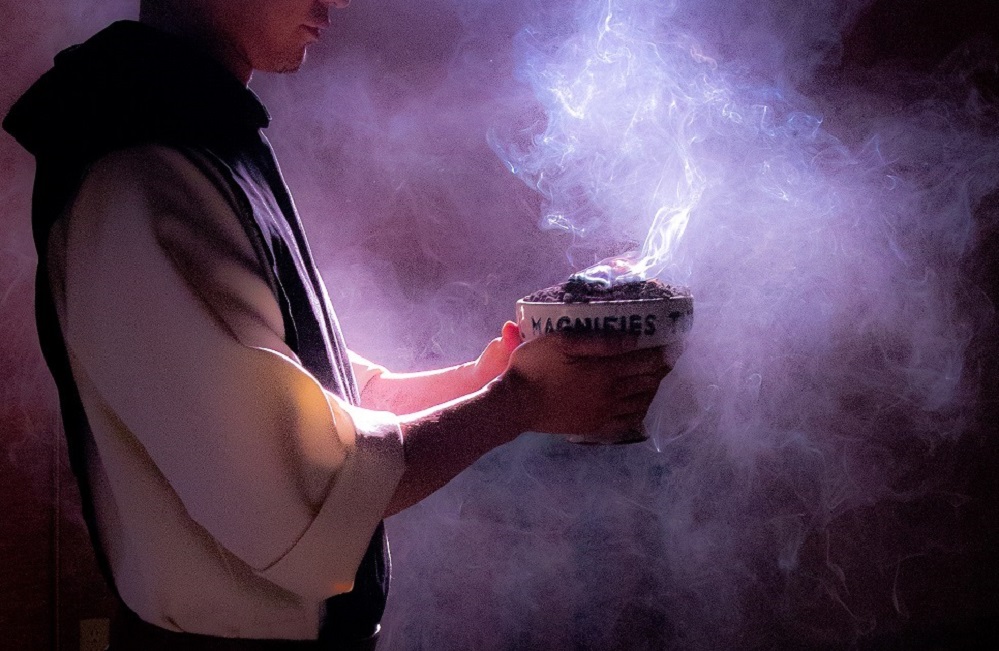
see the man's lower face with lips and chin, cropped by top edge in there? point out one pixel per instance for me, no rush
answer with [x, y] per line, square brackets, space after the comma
[272, 35]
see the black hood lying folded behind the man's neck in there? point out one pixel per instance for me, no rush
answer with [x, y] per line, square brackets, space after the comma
[131, 84]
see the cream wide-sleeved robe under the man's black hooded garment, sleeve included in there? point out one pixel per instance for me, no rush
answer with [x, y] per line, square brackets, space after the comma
[232, 493]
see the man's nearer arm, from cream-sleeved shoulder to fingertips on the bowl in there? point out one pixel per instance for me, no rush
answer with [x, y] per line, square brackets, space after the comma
[177, 339]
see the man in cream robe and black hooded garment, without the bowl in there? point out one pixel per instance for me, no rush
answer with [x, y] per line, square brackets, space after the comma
[235, 459]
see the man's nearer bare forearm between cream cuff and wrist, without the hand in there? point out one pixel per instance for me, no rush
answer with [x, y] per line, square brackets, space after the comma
[442, 441]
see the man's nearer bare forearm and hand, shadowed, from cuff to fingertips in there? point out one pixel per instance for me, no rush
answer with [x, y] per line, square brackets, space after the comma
[595, 387]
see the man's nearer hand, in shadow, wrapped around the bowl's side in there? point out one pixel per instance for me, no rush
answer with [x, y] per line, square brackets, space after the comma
[598, 387]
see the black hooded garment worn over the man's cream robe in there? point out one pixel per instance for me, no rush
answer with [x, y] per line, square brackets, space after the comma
[132, 86]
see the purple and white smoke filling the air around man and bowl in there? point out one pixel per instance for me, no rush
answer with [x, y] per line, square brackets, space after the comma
[813, 462]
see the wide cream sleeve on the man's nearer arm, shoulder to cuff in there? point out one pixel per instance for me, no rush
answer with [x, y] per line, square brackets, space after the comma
[171, 324]
